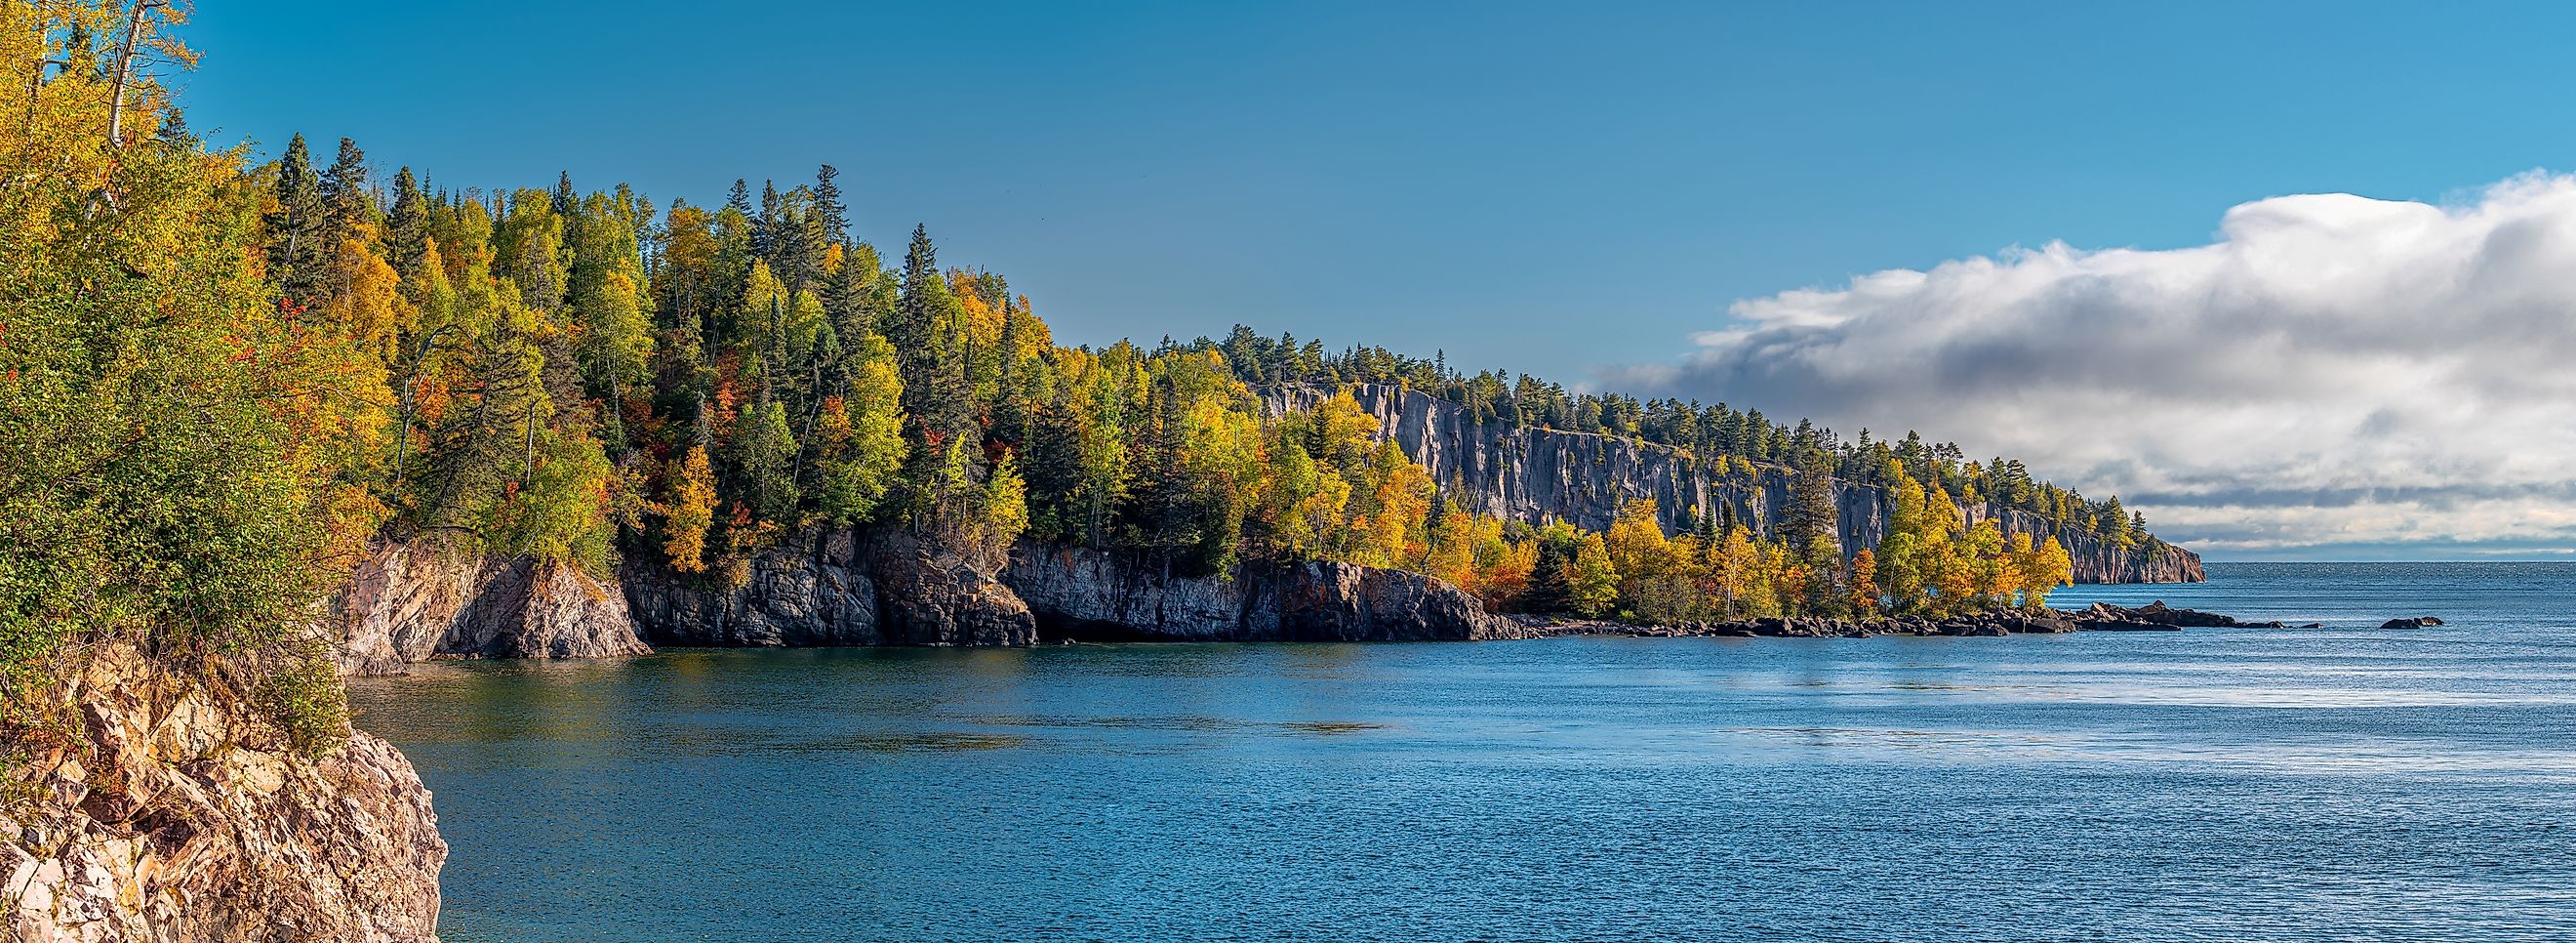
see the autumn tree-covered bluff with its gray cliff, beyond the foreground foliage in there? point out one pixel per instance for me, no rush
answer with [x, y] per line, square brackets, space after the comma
[604, 383]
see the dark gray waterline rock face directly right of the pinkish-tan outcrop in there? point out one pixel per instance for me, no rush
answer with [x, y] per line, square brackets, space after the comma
[833, 589]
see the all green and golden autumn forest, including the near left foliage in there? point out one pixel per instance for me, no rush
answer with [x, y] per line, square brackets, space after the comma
[225, 377]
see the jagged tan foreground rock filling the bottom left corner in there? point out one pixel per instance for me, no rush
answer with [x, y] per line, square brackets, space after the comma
[182, 815]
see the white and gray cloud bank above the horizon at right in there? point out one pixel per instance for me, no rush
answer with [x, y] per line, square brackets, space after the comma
[2330, 372]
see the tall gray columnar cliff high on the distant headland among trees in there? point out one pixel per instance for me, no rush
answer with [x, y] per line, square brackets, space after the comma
[1583, 478]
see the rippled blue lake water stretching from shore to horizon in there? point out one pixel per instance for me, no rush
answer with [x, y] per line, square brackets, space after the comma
[2217, 785]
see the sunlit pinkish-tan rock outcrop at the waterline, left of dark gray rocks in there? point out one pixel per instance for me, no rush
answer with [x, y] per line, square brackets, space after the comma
[413, 602]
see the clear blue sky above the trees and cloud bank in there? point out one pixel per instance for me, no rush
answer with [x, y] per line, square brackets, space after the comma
[1552, 189]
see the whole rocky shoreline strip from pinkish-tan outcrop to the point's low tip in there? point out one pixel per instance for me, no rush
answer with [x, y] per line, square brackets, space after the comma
[887, 589]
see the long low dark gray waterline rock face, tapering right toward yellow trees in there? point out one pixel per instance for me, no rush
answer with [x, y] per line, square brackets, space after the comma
[1101, 596]
